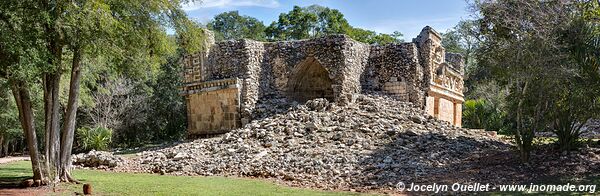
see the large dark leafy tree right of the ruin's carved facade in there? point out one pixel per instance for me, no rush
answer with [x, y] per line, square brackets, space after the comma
[525, 47]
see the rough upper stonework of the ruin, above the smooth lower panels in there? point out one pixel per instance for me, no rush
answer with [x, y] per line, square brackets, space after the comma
[267, 69]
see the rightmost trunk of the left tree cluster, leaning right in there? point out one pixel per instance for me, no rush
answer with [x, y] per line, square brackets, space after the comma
[68, 130]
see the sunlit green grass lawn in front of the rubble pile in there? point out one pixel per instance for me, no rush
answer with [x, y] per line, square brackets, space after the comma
[109, 183]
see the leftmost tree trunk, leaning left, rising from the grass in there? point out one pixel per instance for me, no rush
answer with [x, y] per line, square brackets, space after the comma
[23, 101]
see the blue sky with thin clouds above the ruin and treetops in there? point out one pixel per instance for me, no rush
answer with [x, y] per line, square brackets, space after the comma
[383, 16]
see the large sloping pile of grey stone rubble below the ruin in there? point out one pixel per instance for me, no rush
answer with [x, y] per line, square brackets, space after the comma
[372, 142]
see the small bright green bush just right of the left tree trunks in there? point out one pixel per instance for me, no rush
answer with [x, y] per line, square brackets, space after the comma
[97, 138]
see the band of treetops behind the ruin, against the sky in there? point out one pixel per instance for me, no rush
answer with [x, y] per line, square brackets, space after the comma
[299, 23]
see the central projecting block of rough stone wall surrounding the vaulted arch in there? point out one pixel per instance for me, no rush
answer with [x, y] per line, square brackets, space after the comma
[341, 59]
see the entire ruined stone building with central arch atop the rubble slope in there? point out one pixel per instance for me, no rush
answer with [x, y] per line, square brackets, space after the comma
[225, 81]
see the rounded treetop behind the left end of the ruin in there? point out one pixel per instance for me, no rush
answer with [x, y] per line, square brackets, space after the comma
[230, 25]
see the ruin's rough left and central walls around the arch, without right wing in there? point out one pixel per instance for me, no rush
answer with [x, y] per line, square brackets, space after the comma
[266, 68]
